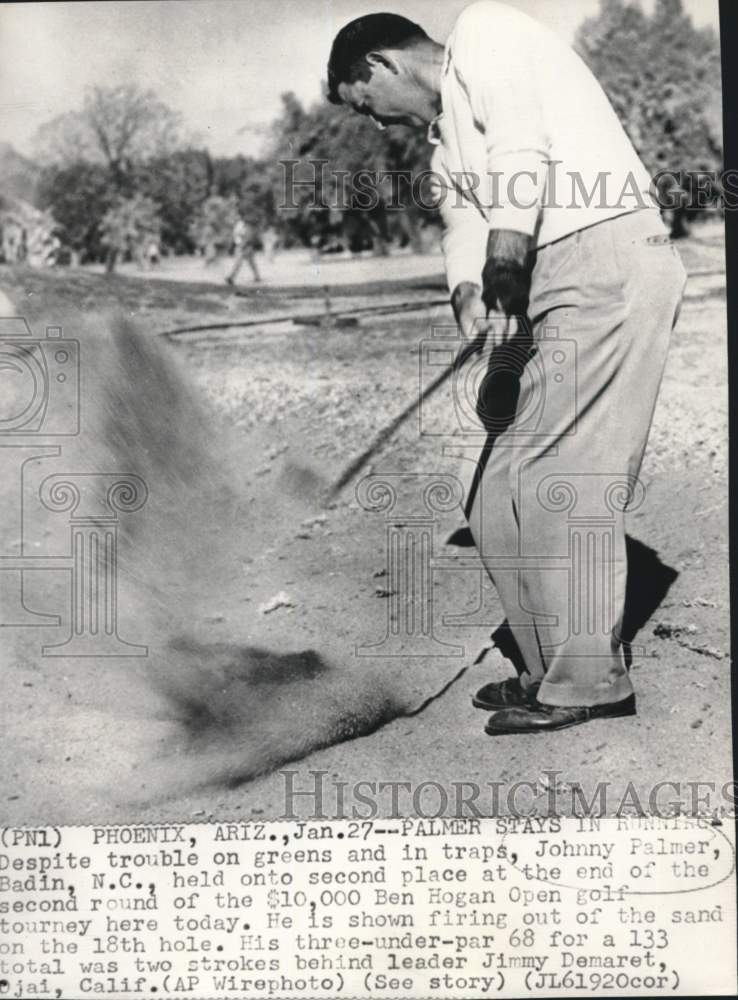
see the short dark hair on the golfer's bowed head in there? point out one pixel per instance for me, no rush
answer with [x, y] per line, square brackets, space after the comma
[347, 62]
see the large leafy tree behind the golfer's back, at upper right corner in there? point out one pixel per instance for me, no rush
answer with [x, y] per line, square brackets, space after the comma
[662, 75]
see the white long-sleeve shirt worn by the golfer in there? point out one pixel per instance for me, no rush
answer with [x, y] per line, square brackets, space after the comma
[527, 139]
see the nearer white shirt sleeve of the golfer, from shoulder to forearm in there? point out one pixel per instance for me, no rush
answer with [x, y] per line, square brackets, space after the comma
[493, 61]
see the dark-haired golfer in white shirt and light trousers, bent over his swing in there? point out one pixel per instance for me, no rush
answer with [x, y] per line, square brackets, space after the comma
[583, 285]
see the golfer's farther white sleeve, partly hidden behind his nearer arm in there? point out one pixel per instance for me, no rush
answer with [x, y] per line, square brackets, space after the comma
[464, 239]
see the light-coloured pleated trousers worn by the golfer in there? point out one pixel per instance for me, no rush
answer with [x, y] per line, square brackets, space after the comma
[560, 467]
